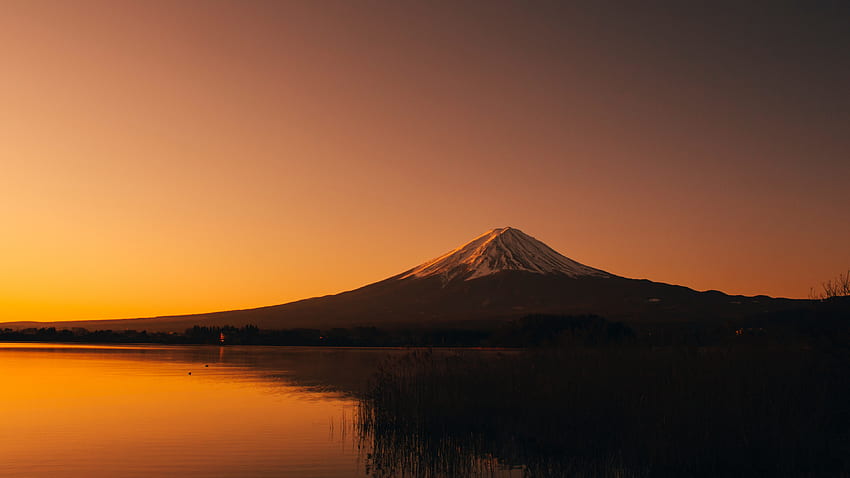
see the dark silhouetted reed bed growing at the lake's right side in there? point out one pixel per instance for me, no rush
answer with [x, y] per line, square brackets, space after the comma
[744, 410]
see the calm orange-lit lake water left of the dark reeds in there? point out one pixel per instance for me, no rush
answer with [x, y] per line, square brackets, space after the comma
[95, 411]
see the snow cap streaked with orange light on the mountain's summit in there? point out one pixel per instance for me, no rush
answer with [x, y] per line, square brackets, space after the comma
[501, 249]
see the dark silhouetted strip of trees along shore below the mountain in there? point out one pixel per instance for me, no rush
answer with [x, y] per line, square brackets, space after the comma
[824, 323]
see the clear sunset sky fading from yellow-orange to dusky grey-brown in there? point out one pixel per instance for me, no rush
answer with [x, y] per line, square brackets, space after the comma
[170, 157]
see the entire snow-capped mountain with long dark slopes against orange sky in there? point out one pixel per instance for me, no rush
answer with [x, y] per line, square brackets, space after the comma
[500, 275]
